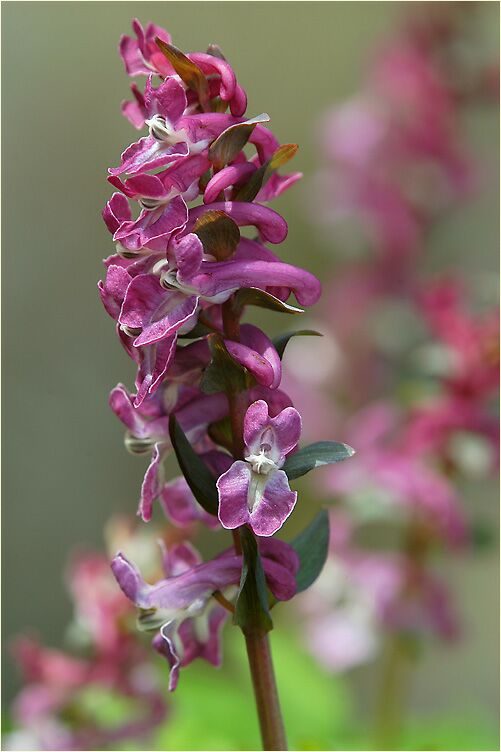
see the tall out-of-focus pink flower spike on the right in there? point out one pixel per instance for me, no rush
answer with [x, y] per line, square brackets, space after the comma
[416, 365]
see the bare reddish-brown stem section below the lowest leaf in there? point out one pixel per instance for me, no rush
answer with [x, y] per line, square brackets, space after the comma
[265, 691]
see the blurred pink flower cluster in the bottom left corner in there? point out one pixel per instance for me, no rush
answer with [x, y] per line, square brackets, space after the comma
[56, 708]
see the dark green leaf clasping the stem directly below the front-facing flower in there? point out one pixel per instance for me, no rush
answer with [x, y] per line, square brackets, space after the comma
[251, 607]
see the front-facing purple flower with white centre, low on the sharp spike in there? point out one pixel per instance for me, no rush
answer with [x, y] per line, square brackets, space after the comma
[255, 491]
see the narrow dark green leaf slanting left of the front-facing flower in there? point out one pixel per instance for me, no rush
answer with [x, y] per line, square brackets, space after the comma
[194, 469]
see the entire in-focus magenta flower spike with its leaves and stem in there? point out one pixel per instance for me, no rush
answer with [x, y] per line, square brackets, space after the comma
[207, 386]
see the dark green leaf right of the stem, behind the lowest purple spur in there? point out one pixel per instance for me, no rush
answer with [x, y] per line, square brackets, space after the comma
[312, 547]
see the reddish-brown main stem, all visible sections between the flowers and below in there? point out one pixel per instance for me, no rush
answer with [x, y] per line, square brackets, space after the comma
[257, 643]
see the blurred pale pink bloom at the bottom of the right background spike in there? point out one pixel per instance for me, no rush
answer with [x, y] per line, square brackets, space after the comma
[362, 595]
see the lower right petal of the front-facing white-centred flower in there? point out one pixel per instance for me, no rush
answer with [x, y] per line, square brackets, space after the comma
[276, 504]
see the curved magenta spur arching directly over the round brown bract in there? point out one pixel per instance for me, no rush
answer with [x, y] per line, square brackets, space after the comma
[270, 224]
